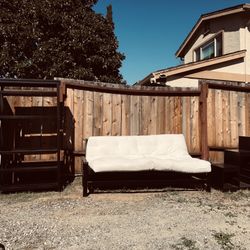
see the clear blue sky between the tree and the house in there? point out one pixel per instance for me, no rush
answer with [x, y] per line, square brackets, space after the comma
[150, 32]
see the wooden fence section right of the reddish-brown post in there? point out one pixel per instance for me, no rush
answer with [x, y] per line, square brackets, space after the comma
[228, 117]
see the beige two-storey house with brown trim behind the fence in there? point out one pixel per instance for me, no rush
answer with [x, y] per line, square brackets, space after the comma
[217, 48]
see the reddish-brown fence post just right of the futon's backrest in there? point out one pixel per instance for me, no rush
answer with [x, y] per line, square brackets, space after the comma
[203, 121]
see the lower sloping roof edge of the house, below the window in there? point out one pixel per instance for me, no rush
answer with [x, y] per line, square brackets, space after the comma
[190, 67]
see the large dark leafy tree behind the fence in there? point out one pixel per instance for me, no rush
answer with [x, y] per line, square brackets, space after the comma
[64, 38]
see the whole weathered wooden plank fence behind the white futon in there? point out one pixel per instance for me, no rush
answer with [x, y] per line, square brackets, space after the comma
[215, 114]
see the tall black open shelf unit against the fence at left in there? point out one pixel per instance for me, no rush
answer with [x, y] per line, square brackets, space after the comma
[32, 150]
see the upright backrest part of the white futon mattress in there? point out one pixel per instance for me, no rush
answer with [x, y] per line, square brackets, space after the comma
[168, 144]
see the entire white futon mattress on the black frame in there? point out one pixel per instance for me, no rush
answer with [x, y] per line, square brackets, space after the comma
[134, 153]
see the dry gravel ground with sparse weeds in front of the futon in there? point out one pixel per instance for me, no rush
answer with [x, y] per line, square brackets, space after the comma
[146, 220]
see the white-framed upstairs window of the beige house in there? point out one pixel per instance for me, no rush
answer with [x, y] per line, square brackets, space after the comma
[210, 49]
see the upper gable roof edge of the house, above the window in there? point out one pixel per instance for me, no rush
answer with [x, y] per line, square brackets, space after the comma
[228, 11]
